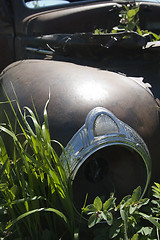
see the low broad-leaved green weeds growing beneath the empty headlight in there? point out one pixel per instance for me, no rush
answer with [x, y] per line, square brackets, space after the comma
[133, 218]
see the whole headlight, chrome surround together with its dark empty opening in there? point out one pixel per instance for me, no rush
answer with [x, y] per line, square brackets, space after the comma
[106, 156]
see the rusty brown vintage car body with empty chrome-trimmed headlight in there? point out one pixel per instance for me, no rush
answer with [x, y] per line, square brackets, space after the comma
[105, 88]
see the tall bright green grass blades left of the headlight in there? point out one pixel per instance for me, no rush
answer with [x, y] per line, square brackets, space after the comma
[35, 193]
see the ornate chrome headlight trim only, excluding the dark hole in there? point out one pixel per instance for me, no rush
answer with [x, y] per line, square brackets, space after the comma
[95, 135]
